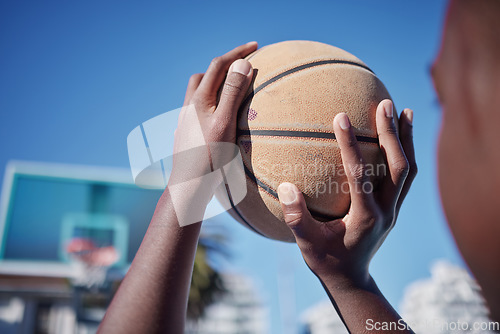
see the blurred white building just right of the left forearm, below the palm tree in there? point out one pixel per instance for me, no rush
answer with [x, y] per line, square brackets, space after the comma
[240, 310]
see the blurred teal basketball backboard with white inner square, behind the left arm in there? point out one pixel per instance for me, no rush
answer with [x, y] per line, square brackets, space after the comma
[43, 206]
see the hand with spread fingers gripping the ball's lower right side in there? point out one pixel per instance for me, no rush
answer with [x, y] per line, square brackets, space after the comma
[341, 250]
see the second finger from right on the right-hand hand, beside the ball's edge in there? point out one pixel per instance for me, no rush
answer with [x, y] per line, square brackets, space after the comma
[393, 153]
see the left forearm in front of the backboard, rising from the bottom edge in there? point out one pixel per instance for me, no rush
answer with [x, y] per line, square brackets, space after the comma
[153, 296]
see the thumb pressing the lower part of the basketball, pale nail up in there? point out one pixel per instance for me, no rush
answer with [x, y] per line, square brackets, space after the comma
[297, 216]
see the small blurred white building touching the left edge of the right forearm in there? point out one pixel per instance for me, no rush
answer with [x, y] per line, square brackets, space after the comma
[322, 318]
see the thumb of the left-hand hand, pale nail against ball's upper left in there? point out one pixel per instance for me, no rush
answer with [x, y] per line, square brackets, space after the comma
[235, 87]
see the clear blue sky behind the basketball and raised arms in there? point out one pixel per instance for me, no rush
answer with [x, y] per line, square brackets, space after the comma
[77, 77]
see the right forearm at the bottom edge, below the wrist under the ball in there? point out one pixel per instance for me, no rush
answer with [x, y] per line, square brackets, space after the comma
[363, 307]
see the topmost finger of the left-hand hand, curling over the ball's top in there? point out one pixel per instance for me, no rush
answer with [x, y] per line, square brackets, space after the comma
[217, 70]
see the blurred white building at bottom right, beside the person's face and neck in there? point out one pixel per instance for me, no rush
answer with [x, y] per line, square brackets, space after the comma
[449, 301]
